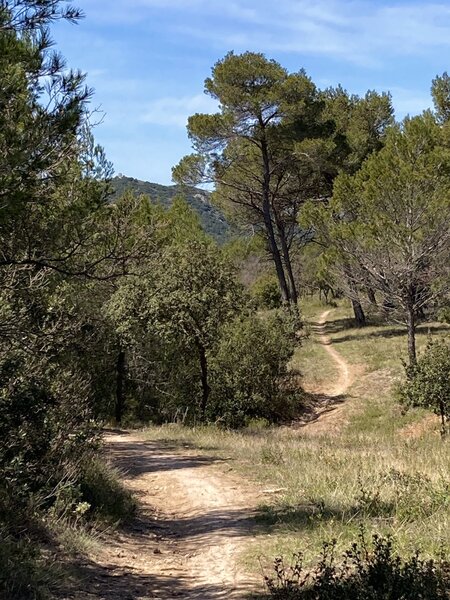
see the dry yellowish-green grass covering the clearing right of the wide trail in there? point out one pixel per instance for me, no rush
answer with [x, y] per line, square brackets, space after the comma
[386, 470]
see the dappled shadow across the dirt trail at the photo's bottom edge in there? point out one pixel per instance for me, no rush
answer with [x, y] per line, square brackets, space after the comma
[100, 582]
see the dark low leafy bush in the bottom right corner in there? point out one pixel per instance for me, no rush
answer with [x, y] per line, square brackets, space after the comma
[367, 572]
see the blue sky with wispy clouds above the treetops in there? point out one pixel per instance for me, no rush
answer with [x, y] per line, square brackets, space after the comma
[147, 60]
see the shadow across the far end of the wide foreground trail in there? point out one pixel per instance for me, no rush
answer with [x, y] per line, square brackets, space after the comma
[135, 458]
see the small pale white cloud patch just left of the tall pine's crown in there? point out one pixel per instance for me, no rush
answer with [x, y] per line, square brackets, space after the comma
[174, 112]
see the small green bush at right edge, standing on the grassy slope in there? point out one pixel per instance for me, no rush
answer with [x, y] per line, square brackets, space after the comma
[428, 382]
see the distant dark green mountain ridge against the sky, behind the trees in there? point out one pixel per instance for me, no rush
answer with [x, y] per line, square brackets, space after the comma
[212, 220]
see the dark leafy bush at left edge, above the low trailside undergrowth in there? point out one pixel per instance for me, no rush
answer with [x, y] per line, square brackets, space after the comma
[45, 430]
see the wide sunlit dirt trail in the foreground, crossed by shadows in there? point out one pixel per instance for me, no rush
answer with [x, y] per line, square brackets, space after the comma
[194, 521]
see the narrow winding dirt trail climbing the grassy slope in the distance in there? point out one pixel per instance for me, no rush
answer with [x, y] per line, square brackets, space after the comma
[330, 411]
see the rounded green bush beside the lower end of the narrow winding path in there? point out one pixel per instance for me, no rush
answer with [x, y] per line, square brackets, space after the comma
[250, 375]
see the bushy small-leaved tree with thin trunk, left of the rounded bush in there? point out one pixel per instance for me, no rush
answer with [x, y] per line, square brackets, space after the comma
[169, 319]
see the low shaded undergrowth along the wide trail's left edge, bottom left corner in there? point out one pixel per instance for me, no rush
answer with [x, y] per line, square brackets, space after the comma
[39, 542]
